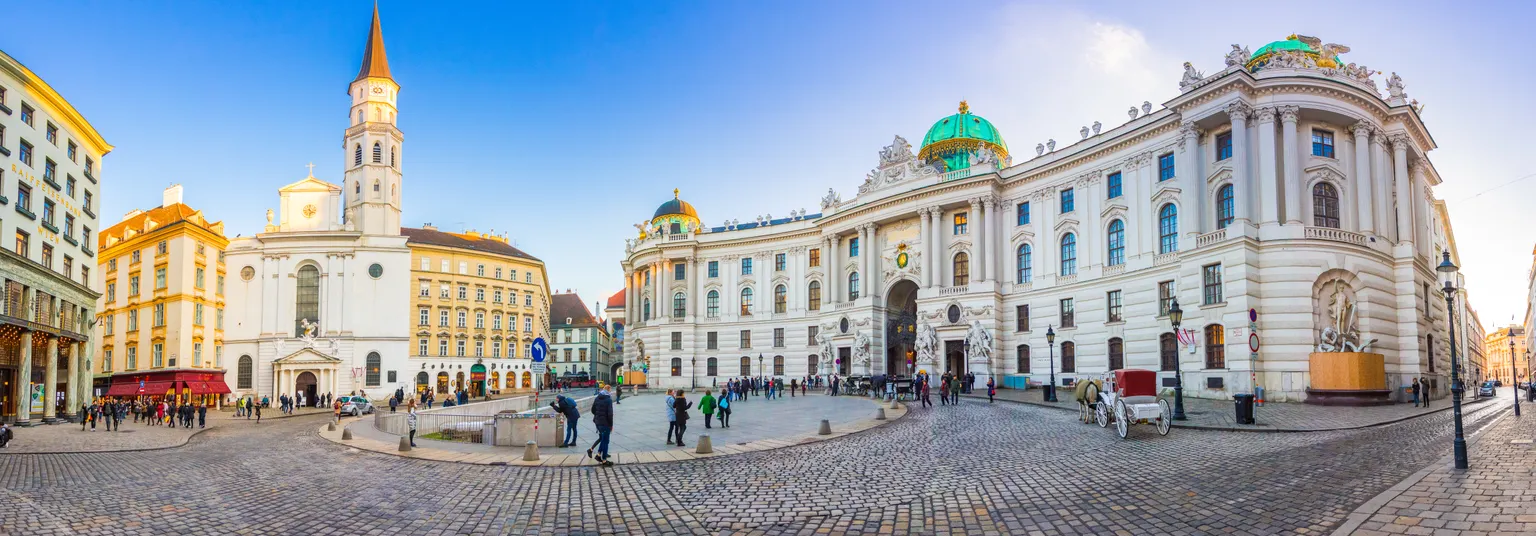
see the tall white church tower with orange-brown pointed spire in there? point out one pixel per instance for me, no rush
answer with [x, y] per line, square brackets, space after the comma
[372, 144]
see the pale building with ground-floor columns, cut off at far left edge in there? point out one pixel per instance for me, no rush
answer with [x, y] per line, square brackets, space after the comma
[50, 196]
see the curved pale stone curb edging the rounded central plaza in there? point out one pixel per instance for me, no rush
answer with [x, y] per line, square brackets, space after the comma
[664, 457]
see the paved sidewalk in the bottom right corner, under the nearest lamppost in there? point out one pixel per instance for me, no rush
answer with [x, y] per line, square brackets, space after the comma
[1492, 497]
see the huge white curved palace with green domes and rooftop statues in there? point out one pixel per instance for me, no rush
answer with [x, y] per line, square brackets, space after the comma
[1285, 200]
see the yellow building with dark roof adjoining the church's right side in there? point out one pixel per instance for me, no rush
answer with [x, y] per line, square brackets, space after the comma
[478, 305]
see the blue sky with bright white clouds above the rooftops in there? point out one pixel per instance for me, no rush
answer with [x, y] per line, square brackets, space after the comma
[564, 124]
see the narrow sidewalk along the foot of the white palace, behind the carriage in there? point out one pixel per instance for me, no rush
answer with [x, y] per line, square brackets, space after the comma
[1274, 417]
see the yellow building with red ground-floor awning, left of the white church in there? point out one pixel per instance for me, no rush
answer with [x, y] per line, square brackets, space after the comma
[162, 308]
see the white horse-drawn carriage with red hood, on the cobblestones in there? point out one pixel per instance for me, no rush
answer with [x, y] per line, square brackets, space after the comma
[1128, 397]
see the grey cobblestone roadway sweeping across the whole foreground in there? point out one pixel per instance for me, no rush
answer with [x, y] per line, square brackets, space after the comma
[972, 469]
